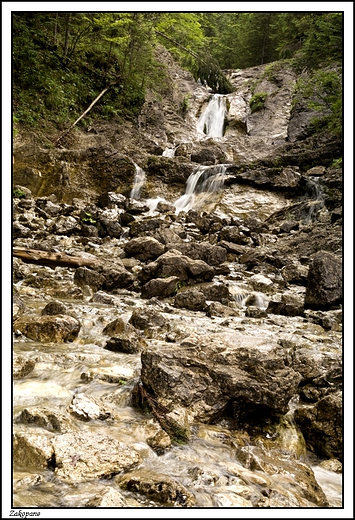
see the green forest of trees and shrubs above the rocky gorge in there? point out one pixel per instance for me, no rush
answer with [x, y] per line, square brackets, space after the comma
[62, 61]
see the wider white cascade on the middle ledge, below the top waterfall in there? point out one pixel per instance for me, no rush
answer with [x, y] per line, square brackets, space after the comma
[204, 181]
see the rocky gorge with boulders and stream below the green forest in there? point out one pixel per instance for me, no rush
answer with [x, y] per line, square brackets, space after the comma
[177, 306]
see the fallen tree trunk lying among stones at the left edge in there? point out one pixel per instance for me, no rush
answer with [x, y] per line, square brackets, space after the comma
[51, 259]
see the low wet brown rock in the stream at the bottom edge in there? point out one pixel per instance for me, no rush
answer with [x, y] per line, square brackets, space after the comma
[157, 486]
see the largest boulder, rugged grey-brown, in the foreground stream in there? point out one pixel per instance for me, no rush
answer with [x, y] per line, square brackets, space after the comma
[215, 374]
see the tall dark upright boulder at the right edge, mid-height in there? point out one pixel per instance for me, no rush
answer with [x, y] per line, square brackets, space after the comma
[324, 282]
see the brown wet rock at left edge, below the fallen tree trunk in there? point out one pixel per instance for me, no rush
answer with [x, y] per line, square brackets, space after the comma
[59, 328]
